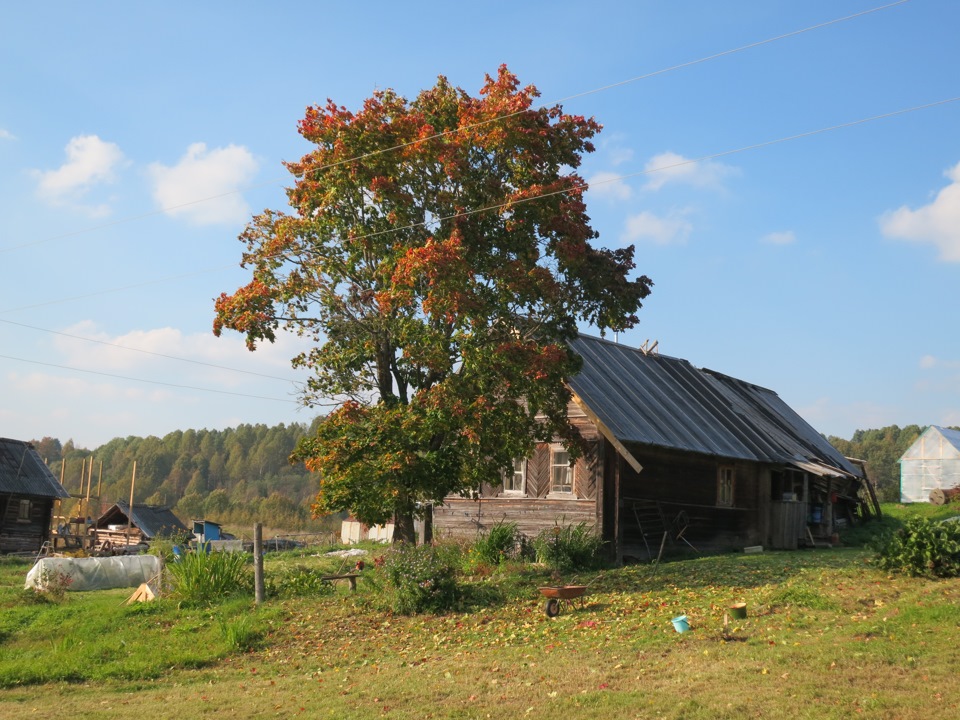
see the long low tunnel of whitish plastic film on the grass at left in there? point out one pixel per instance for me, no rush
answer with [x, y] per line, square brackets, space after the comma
[96, 573]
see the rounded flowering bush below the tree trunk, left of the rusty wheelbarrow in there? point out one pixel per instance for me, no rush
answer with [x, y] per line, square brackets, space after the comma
[422, 579]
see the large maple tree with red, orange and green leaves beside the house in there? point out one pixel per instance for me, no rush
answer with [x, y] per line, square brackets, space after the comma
[439, 255]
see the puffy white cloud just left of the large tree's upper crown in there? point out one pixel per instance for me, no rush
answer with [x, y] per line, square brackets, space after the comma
[203, 187]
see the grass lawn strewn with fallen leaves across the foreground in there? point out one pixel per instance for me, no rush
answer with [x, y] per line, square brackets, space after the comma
[827, 635]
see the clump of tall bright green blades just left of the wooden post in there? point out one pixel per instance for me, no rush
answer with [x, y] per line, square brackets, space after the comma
[203, 578]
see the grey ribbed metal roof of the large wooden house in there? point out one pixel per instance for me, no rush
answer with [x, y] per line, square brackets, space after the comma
[668, 403]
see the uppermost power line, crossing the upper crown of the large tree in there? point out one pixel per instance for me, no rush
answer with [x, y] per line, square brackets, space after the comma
[690, 63]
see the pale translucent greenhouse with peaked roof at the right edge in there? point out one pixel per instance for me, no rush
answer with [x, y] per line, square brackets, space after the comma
[931, 466]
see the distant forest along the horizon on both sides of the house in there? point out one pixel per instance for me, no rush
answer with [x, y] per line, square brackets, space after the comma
[243, 475]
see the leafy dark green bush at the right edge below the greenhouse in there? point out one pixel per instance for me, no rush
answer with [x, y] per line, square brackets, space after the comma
[922, 547]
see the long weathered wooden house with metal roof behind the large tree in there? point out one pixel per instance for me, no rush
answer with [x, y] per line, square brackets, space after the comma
[675, 455]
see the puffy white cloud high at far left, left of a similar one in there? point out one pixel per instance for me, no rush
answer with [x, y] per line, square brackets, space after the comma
[90, 161]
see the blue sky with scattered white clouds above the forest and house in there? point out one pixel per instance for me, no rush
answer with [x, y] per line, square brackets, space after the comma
[136, 140]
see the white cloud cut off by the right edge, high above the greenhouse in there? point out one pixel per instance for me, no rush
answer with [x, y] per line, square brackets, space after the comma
[937, 223]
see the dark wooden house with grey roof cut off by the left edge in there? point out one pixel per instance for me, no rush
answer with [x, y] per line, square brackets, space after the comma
[28, 491]
